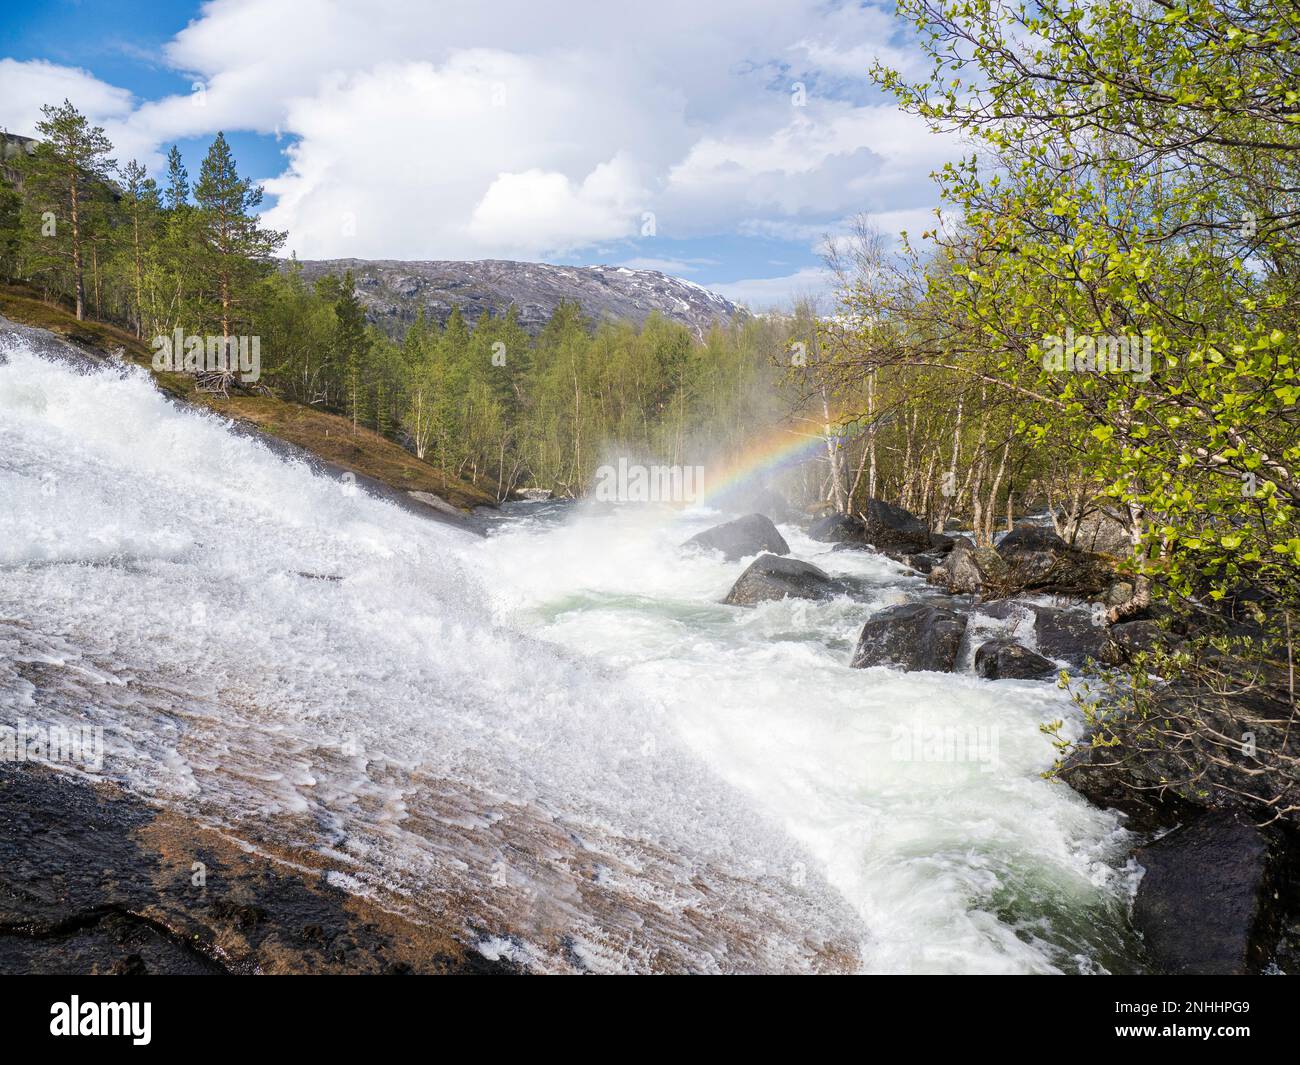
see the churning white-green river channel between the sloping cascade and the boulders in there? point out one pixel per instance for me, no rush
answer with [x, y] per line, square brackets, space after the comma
[918, 795]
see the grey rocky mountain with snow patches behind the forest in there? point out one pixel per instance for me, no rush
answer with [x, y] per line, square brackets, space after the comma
[393, 292]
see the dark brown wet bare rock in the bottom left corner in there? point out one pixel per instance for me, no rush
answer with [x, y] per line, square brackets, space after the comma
[97, 882]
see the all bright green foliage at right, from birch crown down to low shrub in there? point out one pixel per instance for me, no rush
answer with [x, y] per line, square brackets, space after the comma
[1137, 180]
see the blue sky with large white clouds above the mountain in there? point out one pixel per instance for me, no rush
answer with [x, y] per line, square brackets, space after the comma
[721, 142]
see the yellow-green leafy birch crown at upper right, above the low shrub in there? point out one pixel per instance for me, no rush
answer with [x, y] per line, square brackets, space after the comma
[1137, 181]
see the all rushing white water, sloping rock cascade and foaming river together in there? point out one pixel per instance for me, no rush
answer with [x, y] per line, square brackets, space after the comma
[556, 735]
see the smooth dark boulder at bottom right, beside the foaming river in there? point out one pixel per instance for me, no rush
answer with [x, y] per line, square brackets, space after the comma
[1208, 903]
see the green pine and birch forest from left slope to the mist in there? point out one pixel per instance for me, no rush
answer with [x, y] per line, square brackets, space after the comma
[480, 400]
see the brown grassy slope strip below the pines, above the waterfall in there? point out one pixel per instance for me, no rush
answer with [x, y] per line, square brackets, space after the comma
[326, 435]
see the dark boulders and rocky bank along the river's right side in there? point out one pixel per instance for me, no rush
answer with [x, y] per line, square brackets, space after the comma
[1211, 790]
